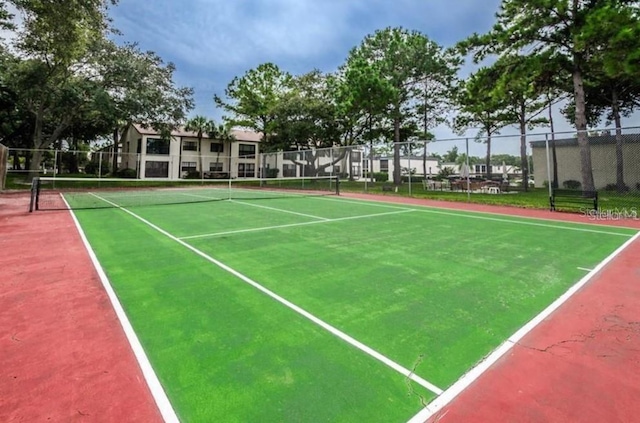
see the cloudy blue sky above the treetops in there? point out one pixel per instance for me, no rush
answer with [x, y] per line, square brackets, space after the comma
[211, 41]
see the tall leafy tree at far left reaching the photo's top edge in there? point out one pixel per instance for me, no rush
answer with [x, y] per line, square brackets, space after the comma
[53, 40]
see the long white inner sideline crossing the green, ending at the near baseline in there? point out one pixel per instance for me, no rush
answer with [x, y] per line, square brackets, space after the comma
[333, 330]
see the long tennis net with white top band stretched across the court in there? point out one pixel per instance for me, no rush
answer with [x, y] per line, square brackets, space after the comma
[48, 193]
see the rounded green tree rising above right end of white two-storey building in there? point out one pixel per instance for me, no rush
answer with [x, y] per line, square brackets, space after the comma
[252, 98]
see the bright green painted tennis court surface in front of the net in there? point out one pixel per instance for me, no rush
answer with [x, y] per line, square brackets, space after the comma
[429, 290]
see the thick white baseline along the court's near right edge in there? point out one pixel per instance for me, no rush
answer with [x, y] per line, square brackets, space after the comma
[463, 383]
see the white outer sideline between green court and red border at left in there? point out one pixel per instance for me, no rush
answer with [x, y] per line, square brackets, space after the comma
[160, 397]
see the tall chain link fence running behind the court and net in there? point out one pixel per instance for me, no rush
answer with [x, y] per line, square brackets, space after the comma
[532, 166]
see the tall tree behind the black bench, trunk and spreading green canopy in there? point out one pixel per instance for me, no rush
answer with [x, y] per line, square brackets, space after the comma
[561, 27]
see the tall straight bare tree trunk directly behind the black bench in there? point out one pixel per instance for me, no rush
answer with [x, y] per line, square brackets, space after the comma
[581, 126]
